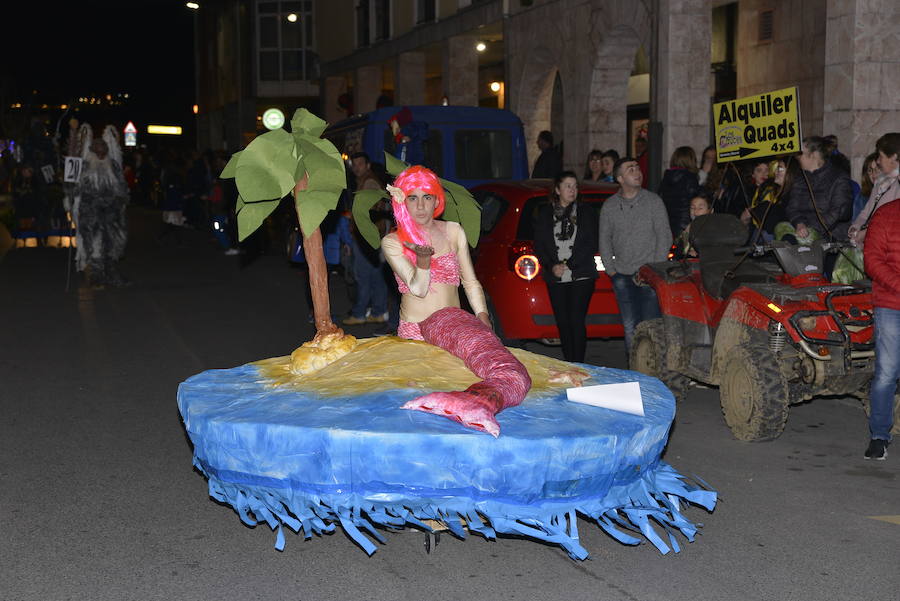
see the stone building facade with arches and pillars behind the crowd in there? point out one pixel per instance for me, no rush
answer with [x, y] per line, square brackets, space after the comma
[573, 66]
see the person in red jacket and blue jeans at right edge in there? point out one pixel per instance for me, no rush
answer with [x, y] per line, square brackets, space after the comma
[882, 262]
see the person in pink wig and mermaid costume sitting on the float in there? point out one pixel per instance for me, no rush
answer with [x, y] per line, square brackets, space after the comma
[430, 259]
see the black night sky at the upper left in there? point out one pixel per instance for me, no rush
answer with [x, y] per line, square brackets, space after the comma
[78, 48]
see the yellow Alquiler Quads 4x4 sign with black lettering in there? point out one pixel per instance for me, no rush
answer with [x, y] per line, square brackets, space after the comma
[757, 126]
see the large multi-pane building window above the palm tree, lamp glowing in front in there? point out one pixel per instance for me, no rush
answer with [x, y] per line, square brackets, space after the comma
[286, 41]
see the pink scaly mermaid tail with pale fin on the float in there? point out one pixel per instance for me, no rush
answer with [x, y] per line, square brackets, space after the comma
[505, 381]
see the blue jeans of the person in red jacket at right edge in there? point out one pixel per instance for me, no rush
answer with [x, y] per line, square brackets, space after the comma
[887, 370]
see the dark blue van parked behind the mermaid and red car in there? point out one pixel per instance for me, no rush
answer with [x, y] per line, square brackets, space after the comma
[466, 144]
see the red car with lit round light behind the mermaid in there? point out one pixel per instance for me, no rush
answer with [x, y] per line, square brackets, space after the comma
[511, 274]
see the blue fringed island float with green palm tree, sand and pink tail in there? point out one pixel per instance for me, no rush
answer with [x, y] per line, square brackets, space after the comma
[324, 438]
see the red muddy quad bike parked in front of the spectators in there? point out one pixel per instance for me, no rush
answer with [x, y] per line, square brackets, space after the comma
[769, 333]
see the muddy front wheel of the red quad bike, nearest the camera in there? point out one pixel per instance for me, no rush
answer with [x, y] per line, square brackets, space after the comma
[754, 394]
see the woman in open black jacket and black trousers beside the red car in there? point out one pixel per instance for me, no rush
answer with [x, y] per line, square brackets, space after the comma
[566, 238]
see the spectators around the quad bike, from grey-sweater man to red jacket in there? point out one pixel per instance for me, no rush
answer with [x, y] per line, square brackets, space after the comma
[797, 198]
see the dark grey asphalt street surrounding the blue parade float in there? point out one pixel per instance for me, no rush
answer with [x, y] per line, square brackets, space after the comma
[99, 501]
